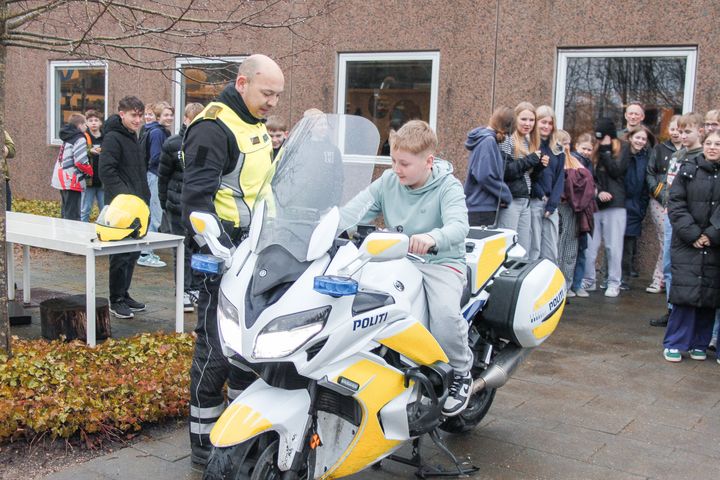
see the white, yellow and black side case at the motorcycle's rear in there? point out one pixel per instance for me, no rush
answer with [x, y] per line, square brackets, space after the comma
[526, 302]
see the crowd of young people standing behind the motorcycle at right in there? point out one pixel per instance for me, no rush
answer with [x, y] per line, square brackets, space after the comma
[567, 197]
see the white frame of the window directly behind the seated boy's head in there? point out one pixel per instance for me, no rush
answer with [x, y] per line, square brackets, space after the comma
[341, 87]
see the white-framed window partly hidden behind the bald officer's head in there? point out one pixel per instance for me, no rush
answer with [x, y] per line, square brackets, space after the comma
[201, 80]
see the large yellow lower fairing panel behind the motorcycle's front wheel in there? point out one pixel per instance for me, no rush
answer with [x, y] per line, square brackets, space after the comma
[379, 384]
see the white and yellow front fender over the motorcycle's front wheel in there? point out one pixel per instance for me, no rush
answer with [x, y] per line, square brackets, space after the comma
[256, 410]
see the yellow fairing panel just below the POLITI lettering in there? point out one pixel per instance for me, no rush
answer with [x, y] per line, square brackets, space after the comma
[412, 340]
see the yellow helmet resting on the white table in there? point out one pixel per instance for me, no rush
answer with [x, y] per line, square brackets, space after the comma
[126, 216]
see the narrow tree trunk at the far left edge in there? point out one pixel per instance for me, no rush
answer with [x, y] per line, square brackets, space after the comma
[4, 318]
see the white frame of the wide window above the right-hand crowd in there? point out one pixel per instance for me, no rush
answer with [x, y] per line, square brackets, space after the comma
[690, 53]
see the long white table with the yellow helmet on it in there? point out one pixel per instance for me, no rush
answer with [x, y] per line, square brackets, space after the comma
[79, 238]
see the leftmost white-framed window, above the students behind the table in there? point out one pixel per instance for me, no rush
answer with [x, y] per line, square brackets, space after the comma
[75, 87]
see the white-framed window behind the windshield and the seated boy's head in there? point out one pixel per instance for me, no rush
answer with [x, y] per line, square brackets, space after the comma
[389, 89]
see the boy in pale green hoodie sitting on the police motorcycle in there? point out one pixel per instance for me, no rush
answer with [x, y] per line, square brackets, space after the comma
[421, 195]
